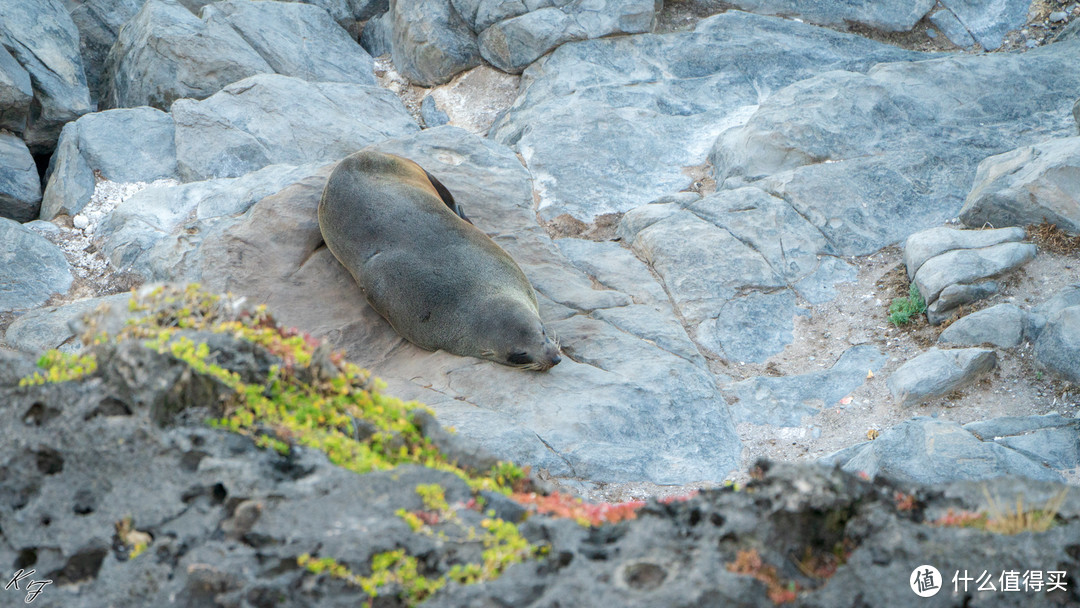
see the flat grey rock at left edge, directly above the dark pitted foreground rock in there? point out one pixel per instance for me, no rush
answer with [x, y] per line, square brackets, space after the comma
[49, 328]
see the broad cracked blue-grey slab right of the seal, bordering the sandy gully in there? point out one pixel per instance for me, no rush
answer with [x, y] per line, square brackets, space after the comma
[735, 264]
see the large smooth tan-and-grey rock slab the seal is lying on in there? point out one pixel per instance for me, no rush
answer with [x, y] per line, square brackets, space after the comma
[631, 400]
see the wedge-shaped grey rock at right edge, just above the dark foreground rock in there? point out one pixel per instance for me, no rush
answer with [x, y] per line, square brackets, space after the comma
[1051, 440]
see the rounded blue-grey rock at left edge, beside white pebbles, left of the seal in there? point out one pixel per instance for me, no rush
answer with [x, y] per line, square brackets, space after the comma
[32, 269]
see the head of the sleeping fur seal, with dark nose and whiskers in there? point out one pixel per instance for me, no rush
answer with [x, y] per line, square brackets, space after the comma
[519, 341]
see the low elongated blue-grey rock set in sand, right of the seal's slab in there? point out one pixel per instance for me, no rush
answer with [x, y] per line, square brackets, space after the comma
[785, 401]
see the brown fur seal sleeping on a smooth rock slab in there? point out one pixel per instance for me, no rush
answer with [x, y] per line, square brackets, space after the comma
[439, 280]
